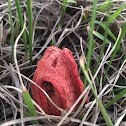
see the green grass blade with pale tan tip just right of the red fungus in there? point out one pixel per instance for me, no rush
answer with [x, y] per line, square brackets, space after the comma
[105, 115]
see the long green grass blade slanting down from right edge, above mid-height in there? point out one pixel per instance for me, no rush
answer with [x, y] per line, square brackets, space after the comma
[116, 49]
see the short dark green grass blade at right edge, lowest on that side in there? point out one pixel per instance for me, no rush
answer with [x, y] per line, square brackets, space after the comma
[120, 95]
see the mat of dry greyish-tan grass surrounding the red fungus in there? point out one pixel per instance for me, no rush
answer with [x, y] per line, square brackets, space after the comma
[74, 35]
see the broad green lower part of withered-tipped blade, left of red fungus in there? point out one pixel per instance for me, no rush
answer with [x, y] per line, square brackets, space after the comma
[29, 103]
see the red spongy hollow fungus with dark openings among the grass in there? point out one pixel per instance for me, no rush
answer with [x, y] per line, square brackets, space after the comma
[57, 74]
